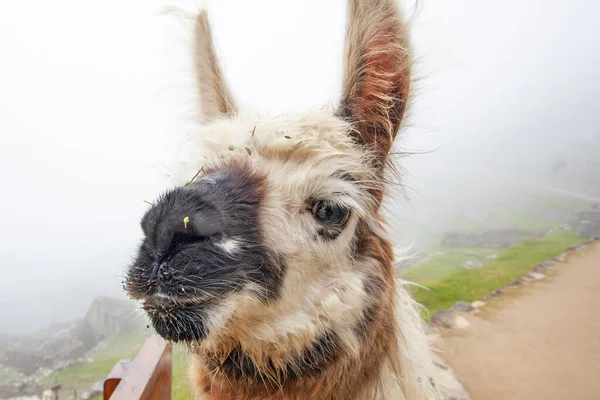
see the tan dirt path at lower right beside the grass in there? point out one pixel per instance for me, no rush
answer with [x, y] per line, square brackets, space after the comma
[538, 341]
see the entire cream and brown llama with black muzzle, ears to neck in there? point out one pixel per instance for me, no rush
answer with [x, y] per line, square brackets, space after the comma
[273, 264]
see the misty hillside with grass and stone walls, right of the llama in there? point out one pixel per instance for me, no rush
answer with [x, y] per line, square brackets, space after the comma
[478, 257]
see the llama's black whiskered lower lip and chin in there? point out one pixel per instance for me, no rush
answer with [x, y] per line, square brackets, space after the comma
[178, 319]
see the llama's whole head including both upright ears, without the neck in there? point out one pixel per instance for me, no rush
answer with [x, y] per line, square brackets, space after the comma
[278, 238]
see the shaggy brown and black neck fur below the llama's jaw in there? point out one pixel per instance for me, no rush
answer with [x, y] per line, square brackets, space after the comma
[326, 368]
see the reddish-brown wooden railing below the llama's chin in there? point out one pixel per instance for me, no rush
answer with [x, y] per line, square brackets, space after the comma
[146, 377]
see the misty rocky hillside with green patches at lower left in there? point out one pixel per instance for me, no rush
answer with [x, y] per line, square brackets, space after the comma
[71, 351]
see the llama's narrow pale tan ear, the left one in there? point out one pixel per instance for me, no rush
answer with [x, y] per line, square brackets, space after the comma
[215, 99]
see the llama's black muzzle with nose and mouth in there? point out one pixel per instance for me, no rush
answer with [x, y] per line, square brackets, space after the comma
[202, 245]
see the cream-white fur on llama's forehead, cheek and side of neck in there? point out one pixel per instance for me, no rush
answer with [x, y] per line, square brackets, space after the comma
[323, 288]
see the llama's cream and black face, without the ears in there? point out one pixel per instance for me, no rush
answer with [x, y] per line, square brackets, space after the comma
[267, 230]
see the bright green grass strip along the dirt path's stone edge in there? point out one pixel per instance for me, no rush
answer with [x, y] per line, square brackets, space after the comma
[470, 285]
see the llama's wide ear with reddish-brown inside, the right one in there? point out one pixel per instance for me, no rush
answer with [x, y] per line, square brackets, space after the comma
[376, 73]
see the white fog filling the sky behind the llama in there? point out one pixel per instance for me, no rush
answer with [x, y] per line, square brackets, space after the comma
[90, 91]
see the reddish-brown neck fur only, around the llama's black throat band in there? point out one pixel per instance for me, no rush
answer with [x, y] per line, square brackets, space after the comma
[347, 377]
